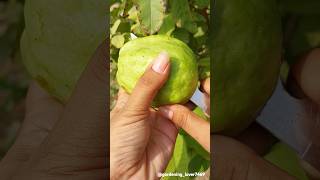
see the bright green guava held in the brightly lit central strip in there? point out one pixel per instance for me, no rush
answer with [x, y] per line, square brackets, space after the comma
[136, 55]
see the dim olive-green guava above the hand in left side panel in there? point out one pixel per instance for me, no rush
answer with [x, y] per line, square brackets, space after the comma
[59, 38]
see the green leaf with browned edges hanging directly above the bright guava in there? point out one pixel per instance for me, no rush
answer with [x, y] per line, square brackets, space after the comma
[151, 14]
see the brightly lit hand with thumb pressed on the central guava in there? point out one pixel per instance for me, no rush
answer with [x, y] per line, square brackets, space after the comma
[142, 140]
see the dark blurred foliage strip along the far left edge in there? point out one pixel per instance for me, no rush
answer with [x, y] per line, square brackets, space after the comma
[13, 77]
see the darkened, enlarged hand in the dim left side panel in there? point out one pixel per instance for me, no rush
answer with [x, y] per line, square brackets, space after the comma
[67, 141]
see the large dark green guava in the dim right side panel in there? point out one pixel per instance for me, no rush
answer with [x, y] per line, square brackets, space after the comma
[246, 52]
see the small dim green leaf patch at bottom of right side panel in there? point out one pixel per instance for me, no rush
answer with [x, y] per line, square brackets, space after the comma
[282, 156]
